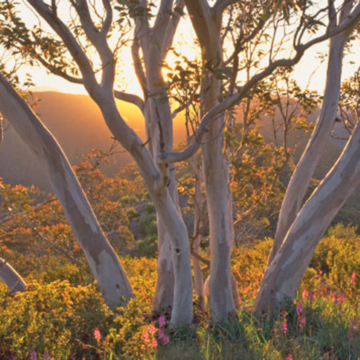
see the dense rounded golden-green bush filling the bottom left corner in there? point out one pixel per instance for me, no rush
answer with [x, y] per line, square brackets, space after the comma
[54, 318]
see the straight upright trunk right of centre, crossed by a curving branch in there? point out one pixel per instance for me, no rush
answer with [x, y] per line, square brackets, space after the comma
[215, 171]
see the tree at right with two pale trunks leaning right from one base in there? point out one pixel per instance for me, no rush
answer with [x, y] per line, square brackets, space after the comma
[299, 231]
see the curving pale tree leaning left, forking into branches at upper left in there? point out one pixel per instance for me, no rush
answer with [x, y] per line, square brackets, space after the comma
[156, 178]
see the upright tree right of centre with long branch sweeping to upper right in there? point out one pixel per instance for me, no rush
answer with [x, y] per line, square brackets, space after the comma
[207, 22]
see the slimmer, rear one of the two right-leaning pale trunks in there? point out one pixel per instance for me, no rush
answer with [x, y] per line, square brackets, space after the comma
[305, 169]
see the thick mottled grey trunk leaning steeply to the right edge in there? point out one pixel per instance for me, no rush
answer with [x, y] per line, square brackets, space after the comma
[283, 276]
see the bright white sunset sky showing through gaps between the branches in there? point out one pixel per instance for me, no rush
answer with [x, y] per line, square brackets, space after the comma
[310, 72]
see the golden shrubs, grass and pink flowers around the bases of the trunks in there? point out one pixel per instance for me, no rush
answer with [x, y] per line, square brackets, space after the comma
[68, 320]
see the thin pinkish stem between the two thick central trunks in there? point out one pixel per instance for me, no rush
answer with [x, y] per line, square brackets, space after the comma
[198, 224]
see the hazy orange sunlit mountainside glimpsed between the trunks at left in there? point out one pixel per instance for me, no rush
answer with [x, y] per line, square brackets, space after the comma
[76, 122]
